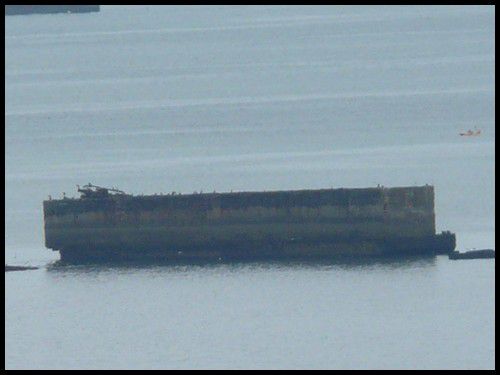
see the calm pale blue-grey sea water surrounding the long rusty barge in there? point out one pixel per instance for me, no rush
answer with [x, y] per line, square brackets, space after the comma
[160, 99]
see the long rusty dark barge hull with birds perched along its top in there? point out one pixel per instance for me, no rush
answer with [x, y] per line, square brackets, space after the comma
[247, 225]
